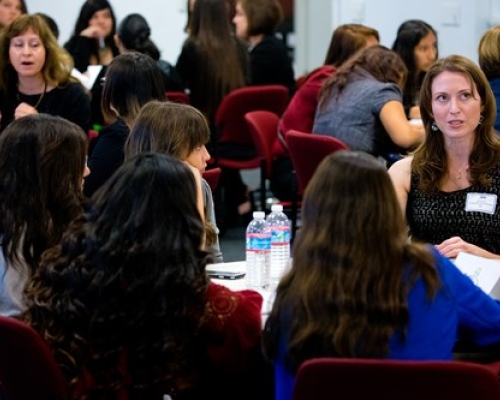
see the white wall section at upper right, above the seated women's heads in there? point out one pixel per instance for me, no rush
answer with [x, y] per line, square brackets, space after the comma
[459, 23]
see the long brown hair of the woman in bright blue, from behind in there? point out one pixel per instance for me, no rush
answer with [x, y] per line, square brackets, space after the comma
[343, 296]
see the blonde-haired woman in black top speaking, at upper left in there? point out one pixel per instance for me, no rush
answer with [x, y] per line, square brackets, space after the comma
[43, 85]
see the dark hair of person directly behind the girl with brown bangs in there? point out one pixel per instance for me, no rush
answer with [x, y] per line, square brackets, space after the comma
[132, 79]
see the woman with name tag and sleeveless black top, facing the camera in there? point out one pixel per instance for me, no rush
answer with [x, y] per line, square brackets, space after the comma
[448, 188]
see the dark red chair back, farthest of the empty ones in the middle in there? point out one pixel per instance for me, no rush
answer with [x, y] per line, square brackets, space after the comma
[230, 115]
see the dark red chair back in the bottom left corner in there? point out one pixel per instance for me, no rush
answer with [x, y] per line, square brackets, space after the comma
[28, 369]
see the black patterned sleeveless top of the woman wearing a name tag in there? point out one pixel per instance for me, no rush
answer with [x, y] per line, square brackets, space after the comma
[436, 217]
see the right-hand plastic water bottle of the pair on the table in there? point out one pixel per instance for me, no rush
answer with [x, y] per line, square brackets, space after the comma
[280, 243]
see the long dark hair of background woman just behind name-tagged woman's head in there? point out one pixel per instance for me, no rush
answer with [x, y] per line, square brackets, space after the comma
[408, 36]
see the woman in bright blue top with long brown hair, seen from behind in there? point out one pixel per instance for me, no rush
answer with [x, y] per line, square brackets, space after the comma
[359, 288]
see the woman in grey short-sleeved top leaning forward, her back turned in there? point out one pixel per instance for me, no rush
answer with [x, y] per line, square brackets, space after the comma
[361, 105]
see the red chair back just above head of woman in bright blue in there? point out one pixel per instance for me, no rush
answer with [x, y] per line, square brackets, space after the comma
[307, 151]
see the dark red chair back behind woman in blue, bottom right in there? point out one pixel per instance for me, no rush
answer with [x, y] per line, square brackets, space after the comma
[360, 379]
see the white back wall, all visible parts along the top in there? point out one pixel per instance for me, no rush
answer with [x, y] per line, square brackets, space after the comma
[460, 23]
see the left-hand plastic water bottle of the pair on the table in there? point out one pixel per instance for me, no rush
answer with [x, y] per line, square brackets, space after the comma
[258, 252]
